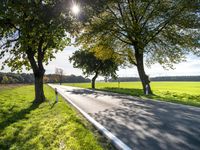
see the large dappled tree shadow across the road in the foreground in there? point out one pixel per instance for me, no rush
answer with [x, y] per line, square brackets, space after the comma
[146, 125]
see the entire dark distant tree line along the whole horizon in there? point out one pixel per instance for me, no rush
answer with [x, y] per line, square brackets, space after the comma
[12, 78]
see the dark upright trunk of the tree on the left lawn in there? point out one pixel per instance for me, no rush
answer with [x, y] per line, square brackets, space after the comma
[39, 92]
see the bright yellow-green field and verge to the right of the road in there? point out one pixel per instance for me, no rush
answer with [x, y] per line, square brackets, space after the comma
[187, 93]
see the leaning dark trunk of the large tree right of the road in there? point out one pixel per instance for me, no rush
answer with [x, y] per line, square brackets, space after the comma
[140, 67]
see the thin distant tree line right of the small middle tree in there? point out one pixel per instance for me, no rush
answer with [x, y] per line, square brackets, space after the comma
[163, 78]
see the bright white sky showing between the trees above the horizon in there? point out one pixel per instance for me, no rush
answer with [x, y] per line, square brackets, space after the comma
[190, 67]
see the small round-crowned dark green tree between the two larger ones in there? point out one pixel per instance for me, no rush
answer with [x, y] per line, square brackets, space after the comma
[90, 64]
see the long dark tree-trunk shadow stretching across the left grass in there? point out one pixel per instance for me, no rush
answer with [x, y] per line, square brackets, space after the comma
[18, 116]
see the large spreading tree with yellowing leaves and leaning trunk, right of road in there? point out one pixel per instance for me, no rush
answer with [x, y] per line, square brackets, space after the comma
[153, 30]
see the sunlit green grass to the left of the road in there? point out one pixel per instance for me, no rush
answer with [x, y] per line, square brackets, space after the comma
[46, 126]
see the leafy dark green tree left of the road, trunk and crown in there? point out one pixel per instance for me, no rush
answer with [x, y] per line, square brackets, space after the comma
[32, 32]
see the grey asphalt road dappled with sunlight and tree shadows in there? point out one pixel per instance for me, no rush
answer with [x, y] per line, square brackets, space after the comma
[141, 124]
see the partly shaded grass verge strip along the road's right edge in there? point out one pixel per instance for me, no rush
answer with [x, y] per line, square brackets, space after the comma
[182, 98]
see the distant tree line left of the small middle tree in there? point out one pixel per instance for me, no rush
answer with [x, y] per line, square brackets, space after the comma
[12, 78]
